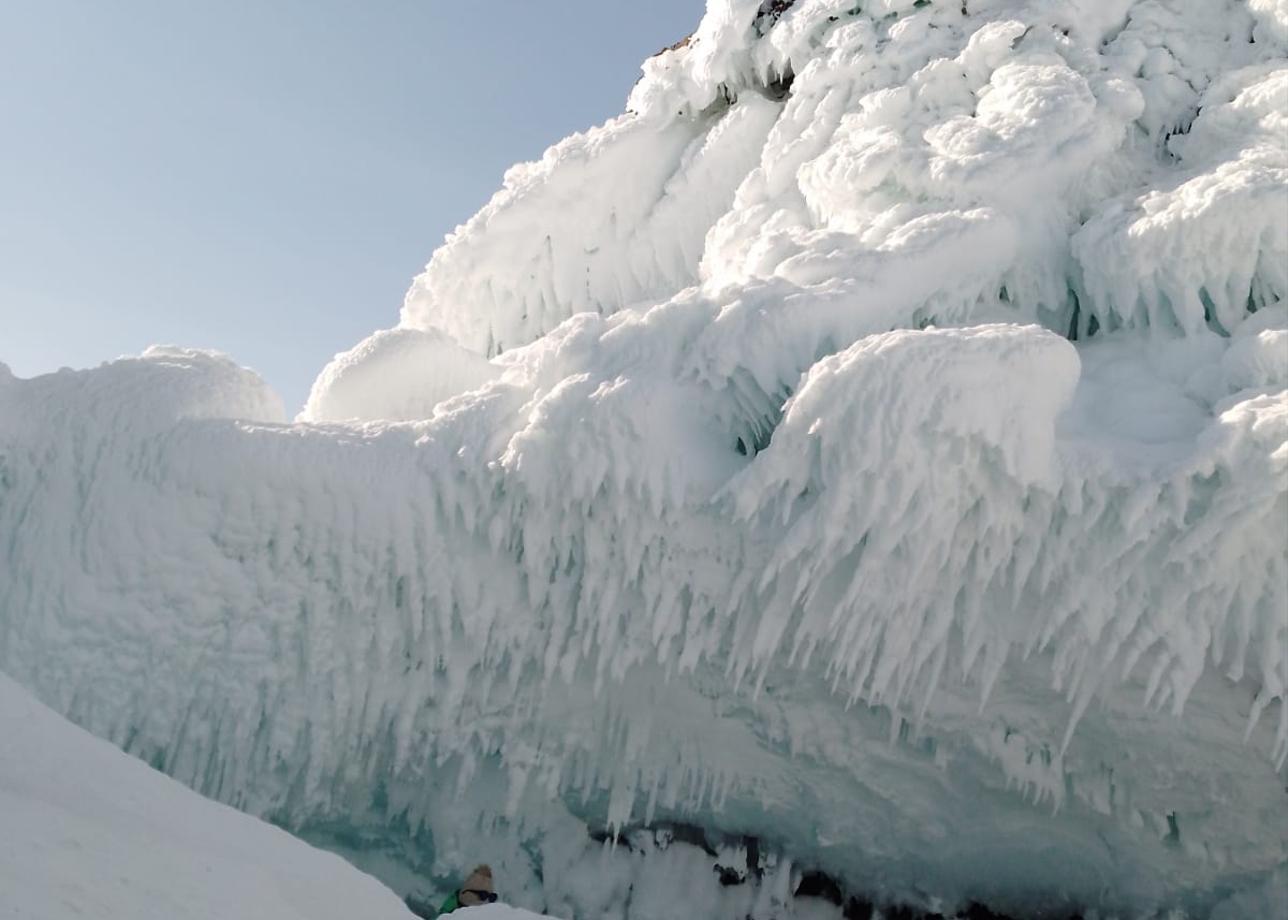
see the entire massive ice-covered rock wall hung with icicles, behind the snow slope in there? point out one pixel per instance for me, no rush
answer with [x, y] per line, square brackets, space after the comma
[870, 450]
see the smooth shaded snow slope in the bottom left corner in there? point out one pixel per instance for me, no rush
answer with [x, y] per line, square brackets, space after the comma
[87, 832]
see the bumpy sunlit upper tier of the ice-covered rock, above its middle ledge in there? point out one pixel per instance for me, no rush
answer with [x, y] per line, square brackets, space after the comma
[1128, 153]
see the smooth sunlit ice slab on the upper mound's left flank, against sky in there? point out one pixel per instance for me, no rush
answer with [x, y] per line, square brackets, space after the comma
[658, 191]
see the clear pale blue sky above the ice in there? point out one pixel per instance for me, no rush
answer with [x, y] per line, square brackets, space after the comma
[265, 177]
